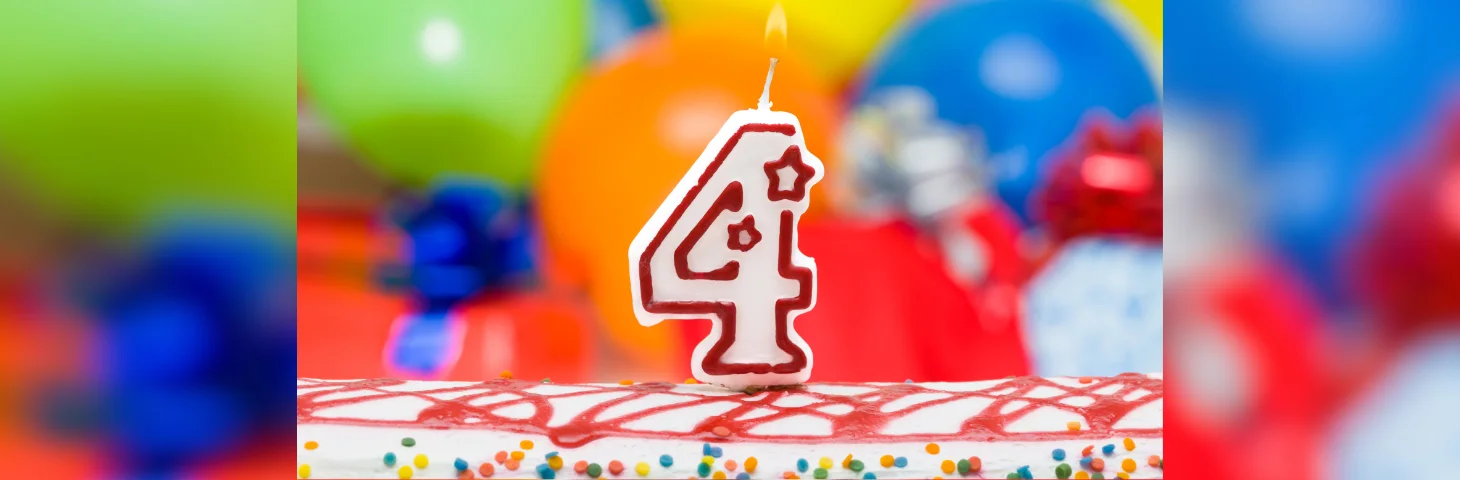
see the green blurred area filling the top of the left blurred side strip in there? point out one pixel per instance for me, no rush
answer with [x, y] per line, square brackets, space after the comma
[119, 112]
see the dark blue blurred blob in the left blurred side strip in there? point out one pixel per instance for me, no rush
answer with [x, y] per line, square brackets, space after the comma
[196, 344]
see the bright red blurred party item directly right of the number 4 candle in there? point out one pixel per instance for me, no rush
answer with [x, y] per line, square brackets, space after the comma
[896, 314]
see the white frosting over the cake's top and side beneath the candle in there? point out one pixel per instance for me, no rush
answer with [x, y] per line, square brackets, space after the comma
[350, 452]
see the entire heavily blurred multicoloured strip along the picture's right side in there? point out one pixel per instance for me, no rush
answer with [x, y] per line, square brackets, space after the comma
[1312, 272]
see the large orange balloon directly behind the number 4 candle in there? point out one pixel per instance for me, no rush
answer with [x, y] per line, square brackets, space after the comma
[627, 136]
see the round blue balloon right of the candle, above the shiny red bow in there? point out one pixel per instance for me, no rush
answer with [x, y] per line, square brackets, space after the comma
[1024, 74]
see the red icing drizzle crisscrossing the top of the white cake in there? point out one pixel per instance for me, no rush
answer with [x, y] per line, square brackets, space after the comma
[864, 424]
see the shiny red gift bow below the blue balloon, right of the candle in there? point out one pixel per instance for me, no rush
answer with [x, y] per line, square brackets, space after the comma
[1106, 183]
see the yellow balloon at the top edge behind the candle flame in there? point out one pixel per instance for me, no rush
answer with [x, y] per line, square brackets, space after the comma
[836, 36]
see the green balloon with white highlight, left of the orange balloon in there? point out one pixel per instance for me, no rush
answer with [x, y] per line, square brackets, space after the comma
[442, 88]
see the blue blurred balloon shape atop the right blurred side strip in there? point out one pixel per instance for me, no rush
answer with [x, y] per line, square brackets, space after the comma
[1329, 98]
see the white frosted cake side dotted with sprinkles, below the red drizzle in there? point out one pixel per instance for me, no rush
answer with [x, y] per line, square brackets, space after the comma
[356, 453]
